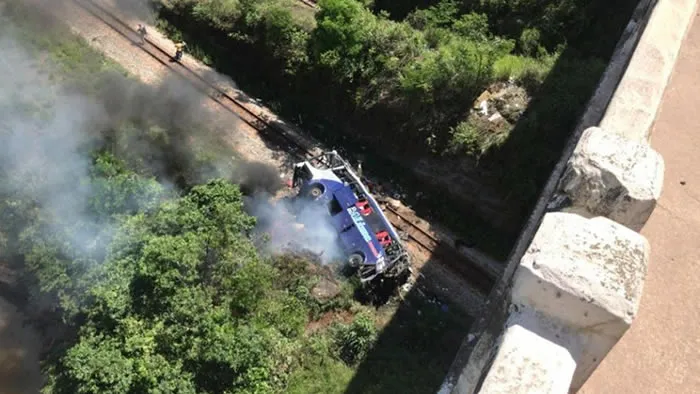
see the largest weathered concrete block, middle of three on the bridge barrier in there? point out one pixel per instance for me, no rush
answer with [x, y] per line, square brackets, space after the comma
[587, 274]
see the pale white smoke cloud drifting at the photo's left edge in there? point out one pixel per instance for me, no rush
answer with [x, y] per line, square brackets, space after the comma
[46, 135]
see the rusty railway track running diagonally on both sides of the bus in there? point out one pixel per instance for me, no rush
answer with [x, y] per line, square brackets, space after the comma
[446, 253]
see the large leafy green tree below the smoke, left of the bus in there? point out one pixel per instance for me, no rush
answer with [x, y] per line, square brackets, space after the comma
[184, 305]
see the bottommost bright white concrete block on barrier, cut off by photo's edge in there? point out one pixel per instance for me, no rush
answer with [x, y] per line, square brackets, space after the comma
[533, 357]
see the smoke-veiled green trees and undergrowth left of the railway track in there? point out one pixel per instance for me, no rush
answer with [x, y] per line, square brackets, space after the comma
[138, 261]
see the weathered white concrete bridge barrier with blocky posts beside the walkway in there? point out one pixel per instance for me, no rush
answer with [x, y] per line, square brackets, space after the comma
[574, 277]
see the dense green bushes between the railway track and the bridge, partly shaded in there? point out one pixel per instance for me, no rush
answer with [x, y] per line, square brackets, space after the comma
[400, 77]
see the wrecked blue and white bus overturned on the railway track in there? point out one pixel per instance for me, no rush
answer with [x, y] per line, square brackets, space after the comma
[369, 241]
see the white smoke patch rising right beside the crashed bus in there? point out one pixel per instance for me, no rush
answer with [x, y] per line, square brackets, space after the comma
[295, 226]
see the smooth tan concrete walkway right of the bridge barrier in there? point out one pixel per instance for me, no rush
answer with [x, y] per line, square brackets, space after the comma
[661, 351]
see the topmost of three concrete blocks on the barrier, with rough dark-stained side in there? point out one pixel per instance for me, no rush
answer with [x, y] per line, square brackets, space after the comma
[614, 177]
